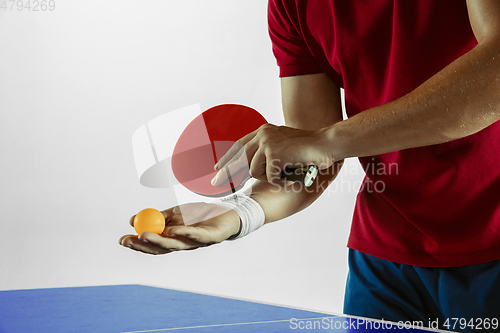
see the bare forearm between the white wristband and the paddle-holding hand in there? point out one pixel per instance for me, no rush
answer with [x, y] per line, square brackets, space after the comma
[279, 202]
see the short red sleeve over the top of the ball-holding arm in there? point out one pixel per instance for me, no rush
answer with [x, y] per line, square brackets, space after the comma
[291, 51]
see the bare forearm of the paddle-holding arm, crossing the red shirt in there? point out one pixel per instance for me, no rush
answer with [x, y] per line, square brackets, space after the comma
[460, 100]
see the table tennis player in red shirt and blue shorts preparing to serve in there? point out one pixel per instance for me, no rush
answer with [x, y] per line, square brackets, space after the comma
[422, 89]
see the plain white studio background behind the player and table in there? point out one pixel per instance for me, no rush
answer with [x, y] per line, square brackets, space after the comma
[75, 83]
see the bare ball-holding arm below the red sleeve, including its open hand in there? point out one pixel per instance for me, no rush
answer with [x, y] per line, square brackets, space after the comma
[309, 102]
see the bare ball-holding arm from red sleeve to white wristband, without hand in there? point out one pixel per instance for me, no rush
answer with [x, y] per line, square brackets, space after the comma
[310, 102]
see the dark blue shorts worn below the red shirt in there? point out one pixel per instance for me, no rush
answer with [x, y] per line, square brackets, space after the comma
[462, 299]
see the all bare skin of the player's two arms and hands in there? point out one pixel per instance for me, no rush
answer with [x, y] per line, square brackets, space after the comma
[460, 100]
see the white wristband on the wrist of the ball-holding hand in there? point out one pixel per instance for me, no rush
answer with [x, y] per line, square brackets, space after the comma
[251, 213]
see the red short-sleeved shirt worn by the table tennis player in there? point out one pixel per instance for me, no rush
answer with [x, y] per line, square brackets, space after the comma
[430, 206]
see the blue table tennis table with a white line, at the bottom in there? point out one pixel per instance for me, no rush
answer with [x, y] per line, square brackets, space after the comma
[138, 308]
